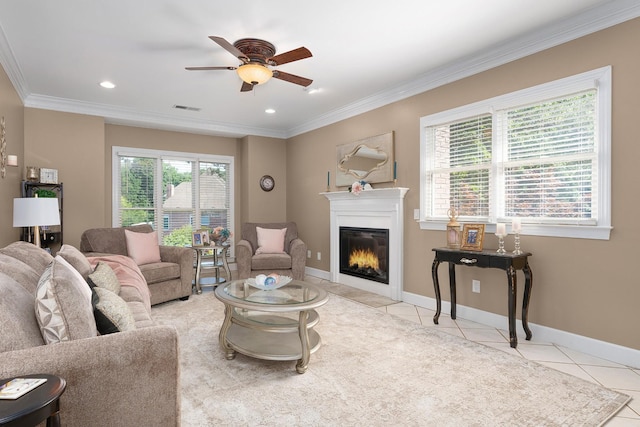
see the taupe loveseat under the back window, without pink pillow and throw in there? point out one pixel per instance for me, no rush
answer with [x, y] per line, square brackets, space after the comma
[168, 279]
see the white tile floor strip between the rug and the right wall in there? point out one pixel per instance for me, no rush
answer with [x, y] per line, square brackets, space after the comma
[609, 374]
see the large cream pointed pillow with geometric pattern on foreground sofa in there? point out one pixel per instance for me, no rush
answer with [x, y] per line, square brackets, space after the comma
[63, 304]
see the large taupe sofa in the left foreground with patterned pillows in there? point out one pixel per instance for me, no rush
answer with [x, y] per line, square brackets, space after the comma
[128, 378]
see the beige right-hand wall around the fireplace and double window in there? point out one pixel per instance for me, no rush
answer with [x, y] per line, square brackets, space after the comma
[587, 287]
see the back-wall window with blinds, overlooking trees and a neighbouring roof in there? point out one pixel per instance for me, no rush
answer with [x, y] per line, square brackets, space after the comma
[176, 193]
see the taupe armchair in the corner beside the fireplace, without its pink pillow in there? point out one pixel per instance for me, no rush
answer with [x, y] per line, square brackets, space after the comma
[290, 263]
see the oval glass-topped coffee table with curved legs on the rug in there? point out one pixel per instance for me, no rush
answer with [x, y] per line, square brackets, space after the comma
[272, 324]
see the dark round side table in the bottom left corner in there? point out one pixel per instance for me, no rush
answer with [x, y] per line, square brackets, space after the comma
[41, 403]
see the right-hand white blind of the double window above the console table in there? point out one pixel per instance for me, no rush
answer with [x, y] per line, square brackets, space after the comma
[550, 167]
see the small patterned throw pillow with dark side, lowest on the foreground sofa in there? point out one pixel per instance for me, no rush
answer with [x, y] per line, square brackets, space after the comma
[112, 313]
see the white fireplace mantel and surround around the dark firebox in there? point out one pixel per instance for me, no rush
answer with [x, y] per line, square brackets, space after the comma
[376, 208]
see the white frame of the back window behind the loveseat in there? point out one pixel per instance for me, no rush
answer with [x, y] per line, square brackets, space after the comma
[159, 155]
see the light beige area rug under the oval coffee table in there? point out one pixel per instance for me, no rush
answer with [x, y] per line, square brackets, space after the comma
[373, 370]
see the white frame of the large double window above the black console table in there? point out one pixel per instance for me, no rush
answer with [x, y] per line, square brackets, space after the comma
[599, 79]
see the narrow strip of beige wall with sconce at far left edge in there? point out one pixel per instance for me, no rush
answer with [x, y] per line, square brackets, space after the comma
[13, 112]
